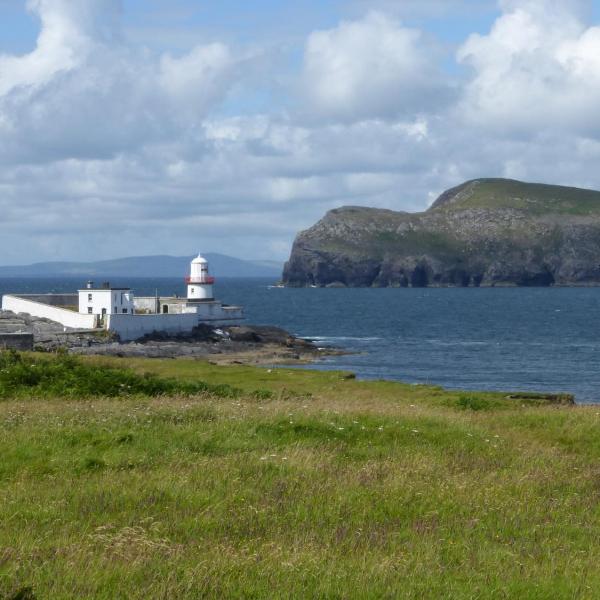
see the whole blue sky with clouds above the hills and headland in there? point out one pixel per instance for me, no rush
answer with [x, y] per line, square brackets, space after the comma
[138, 127]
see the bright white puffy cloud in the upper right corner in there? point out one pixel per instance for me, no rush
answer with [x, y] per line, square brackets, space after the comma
[538, 68]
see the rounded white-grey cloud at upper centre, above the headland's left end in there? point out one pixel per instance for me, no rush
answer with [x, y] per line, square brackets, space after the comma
[372, 68]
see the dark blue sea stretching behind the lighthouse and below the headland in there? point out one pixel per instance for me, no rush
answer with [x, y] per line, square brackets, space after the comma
[541, 339]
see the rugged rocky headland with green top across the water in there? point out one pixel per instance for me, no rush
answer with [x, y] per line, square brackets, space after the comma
[483, 232]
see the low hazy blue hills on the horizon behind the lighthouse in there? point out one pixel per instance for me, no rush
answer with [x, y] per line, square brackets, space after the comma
[147, 266]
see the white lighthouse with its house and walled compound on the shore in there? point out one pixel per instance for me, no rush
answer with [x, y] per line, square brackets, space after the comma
[118, 310]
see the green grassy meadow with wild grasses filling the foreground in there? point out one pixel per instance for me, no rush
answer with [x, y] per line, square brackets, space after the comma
[250, 483]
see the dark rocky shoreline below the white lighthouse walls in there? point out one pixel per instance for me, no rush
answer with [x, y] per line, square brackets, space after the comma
[240, 344]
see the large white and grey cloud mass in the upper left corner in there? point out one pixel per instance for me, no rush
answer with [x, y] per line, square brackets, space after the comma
[84, 93]
